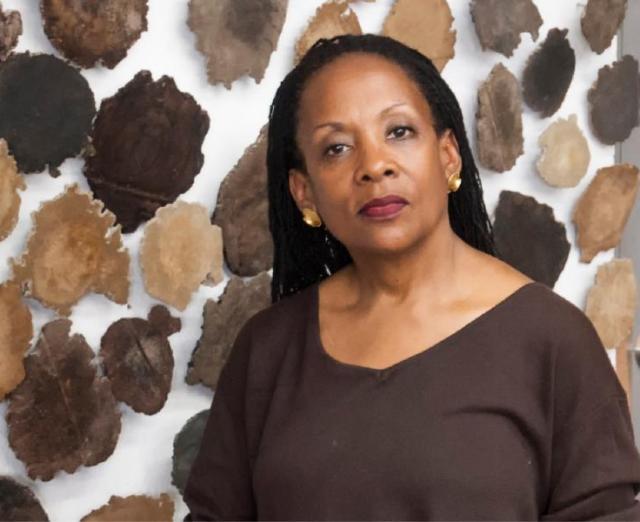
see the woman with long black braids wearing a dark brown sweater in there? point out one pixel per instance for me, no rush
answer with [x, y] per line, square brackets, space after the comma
[403, 372]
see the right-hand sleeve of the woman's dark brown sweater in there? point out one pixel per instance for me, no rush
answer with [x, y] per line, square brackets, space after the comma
[595, 465]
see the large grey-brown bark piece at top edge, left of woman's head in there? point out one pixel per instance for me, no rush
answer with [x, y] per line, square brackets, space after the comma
[236, 37]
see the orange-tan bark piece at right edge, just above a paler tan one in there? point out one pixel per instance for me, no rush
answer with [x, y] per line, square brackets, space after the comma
[604, 208]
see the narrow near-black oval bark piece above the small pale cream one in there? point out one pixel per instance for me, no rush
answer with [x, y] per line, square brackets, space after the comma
[548, 73]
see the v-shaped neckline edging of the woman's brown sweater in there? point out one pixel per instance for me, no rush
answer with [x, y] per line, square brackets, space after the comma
[383, 372]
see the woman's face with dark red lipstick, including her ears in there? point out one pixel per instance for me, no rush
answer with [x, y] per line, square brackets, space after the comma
[366, 131]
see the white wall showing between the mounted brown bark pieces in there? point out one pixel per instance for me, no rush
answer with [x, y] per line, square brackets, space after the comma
[141, 463]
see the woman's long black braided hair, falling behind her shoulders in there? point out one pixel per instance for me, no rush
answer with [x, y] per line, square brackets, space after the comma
[305, 255]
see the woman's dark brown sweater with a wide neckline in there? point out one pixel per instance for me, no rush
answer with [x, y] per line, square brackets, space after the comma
[518, 415]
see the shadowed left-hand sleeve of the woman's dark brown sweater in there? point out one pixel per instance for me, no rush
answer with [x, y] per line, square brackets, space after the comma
[219, 486]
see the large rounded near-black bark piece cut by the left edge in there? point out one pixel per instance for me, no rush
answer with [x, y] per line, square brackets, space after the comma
[46, 109]
